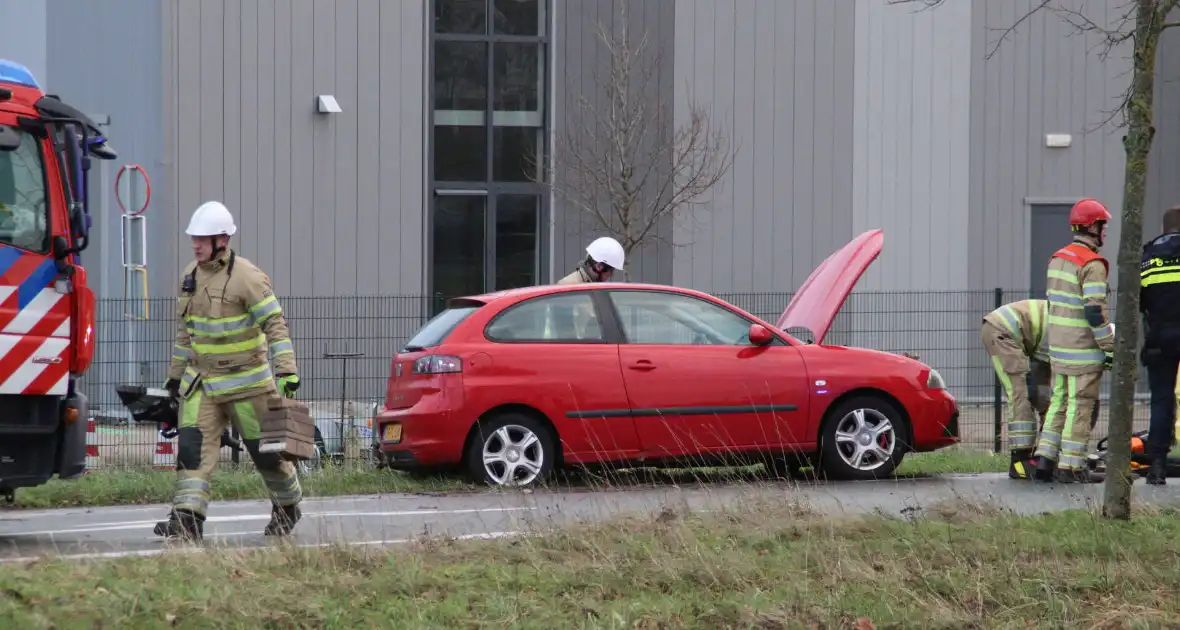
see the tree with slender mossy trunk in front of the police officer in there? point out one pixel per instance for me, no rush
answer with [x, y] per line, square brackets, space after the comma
[1140, 23]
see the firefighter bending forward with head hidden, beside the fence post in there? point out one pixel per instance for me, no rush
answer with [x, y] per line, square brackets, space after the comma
[1014, 337]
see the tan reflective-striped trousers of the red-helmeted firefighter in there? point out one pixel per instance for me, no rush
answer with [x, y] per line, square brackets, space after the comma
[1070, 421]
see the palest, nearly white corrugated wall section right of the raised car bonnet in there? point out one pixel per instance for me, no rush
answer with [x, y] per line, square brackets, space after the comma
[913, 122]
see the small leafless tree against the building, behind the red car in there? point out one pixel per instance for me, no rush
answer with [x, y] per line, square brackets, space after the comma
[624, 163]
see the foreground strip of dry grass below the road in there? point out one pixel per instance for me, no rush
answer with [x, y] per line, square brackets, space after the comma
[765, 567]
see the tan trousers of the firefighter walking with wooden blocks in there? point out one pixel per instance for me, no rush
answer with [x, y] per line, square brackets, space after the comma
[202, 424]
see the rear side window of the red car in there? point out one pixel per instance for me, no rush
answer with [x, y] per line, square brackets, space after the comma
[566, 318]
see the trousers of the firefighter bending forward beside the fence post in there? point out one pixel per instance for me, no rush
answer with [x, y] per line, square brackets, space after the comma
[1012, 367]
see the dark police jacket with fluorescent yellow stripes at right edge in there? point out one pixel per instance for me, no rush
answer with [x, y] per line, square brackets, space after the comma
[1159, 296]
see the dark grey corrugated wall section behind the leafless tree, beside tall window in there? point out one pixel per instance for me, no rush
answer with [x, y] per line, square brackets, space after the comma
[579, 56]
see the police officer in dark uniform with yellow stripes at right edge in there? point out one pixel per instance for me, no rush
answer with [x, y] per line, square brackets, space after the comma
[1159, 301]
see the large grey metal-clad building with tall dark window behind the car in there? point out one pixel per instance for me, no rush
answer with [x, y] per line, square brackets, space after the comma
[847, 115]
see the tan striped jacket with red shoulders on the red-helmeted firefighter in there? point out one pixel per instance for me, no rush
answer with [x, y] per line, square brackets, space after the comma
[1080, 336]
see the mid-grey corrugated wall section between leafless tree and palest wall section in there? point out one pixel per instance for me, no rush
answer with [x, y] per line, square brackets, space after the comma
[788, 200]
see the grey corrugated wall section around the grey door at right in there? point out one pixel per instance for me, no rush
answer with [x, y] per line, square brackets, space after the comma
[1045, 78]
